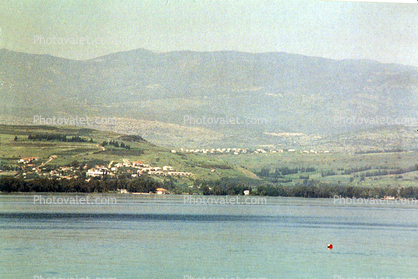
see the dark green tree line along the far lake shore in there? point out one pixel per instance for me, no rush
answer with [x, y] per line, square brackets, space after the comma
[219, 187]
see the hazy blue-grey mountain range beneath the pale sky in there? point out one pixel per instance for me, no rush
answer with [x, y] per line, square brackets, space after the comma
[183, 97]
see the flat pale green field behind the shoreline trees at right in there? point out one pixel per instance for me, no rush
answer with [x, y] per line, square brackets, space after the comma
[337, 163]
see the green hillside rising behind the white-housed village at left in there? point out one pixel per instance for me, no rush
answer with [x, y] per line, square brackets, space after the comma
[14, 145]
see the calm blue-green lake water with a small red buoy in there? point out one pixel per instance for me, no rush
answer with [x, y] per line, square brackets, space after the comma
[161, 237]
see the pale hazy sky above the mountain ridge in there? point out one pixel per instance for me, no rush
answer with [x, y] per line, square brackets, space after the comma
[386, 32]
